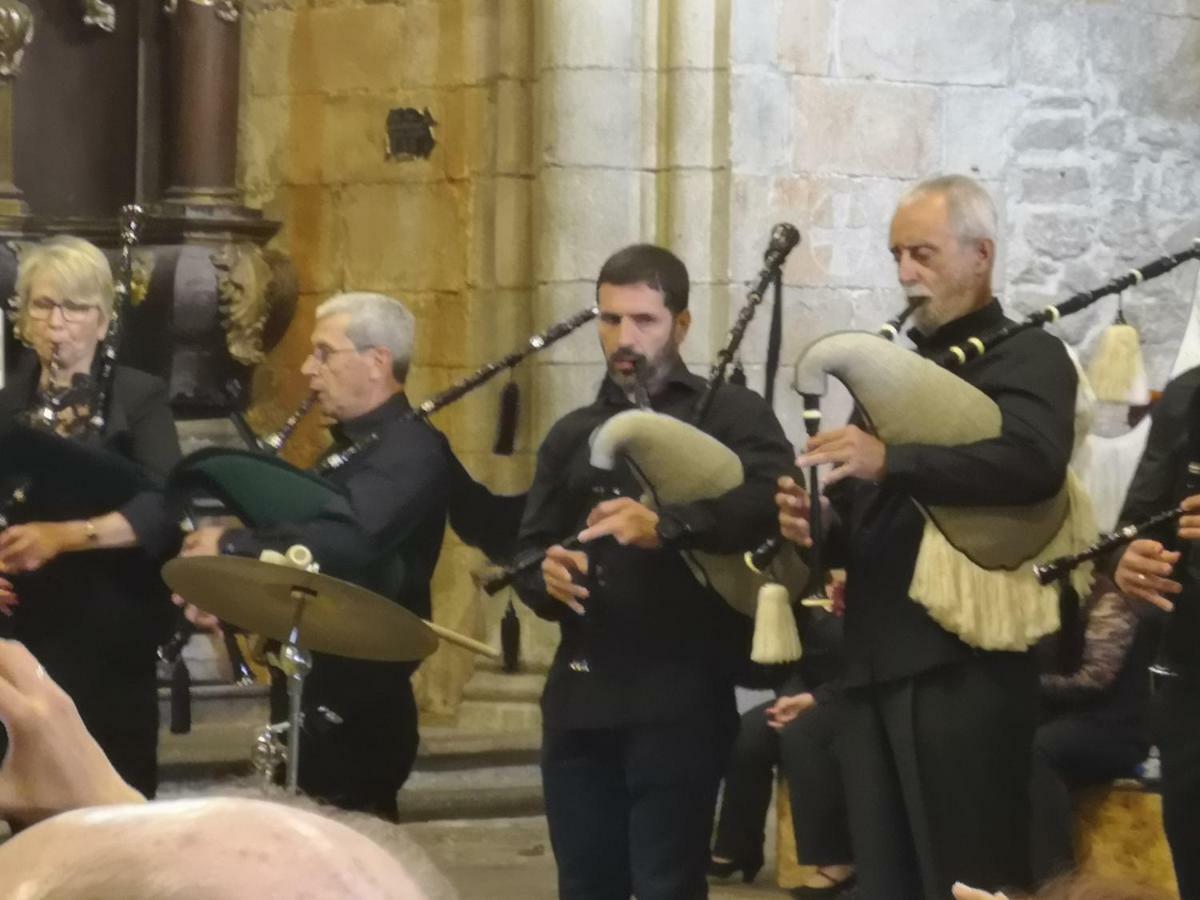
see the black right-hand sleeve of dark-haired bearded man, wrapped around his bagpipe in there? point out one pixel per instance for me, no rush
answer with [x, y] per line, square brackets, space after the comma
[740, 519]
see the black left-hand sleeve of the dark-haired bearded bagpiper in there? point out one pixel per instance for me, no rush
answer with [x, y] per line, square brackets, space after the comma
[548, 518]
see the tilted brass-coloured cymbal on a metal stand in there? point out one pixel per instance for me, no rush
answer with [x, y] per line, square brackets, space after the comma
[335, 616]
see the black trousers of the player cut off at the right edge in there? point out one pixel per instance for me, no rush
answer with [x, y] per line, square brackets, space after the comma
[1177, 713]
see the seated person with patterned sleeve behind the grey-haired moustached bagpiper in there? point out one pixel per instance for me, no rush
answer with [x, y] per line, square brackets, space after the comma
[1094, 728]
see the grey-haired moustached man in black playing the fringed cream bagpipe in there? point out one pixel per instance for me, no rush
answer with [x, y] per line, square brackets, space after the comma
[938, 733]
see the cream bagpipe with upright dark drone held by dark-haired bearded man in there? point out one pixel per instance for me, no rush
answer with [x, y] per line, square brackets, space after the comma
[653, 445]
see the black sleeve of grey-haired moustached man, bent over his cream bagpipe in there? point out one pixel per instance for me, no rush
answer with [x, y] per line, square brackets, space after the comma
[1028, 463]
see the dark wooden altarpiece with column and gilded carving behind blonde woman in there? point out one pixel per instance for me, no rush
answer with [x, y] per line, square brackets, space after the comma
[137, 101]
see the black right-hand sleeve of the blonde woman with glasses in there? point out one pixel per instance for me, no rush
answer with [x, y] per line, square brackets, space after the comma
[154, 445]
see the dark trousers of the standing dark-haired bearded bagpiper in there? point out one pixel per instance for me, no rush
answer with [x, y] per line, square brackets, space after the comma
[631, 809]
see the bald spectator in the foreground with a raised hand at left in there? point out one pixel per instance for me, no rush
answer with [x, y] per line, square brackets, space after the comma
[136, 850]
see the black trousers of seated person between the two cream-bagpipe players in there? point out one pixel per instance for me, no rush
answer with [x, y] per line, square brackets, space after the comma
[805, 752]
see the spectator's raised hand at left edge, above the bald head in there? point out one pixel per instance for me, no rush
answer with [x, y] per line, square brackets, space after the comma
[53, 764]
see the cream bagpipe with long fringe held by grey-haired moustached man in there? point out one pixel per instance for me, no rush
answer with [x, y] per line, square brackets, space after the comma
[971, 571]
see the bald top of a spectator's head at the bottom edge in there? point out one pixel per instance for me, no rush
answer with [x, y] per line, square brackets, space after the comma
[223, 848]
